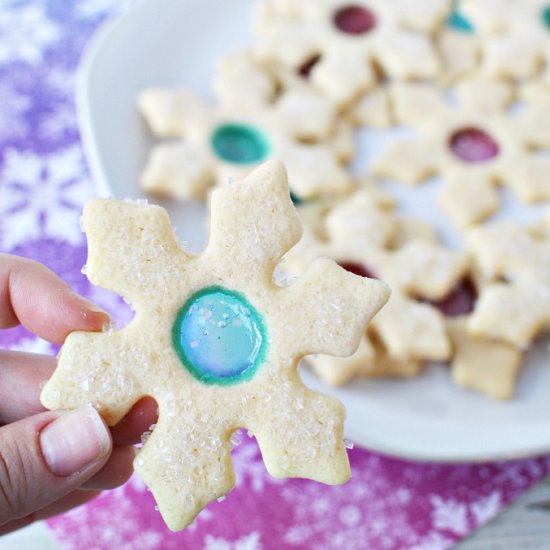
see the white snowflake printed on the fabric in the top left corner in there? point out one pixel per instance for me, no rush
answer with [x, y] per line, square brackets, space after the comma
[28, 39]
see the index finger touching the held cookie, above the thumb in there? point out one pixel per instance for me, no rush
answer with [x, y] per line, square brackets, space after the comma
[34, 296]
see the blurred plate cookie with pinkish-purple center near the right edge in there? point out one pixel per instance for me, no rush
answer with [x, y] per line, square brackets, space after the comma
[473, 143]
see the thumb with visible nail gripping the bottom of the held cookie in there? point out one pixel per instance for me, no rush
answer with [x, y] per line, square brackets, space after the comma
[44, 457]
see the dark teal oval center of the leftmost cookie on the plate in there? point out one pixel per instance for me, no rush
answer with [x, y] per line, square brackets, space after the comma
[240, 143]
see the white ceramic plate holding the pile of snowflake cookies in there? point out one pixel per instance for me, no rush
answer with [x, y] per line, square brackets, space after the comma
[175, 42]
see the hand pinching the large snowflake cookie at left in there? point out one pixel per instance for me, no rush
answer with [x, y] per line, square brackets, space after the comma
[51, 461]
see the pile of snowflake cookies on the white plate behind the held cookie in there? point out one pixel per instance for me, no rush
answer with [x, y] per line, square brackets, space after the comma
[458, 97]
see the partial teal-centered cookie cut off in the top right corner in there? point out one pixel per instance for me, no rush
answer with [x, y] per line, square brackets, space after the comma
[515, 36]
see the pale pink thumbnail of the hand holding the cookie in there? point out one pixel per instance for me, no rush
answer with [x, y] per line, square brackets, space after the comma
[75, 440]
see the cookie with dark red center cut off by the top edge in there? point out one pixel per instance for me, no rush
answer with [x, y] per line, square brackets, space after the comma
[341, 42]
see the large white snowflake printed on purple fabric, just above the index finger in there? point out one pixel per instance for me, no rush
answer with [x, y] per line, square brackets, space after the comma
[43, 195]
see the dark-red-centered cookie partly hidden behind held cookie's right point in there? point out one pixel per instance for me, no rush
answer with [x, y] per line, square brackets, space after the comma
[365, 237]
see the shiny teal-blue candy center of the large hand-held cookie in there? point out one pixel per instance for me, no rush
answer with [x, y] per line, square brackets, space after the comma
[219, 336]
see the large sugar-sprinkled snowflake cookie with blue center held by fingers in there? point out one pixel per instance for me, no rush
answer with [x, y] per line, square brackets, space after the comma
[215, 342]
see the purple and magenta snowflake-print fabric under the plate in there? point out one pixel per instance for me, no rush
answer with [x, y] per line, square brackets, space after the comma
[389, 504]
